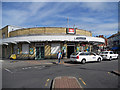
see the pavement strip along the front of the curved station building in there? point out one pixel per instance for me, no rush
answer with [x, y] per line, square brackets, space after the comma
[24, 63]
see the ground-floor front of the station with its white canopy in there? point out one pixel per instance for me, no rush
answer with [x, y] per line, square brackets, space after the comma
[47, 46]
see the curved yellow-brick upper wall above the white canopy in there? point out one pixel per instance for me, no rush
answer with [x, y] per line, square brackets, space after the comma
[46, 31]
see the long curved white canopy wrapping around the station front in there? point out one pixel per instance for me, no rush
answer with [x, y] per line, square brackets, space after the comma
[37, 38]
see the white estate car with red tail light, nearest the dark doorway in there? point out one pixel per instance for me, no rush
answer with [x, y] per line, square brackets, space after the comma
[84, 57]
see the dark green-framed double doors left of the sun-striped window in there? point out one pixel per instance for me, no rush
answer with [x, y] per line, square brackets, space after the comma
[39, 53]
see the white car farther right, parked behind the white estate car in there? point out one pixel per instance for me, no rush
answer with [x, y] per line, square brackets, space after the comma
[108, 55]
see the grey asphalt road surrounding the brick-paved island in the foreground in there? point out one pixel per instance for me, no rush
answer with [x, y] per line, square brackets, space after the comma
[89, 75]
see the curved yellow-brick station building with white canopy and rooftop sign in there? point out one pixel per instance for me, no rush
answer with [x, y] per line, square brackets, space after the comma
[44, 42]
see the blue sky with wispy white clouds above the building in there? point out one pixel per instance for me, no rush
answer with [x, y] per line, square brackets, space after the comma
[101, 18]
